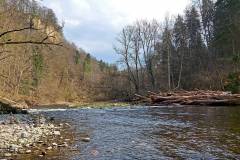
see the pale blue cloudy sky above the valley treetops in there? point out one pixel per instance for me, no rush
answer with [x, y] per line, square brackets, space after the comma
[93, 25]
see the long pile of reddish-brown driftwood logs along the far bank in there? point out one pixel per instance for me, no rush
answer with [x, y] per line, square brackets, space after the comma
[199, 97]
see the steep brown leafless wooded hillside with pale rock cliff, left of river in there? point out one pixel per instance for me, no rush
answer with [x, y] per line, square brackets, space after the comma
[37, 63]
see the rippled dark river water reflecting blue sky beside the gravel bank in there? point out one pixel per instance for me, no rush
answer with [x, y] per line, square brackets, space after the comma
[153, 133]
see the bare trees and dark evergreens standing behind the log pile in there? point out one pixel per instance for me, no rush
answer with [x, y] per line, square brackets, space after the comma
[197, 50]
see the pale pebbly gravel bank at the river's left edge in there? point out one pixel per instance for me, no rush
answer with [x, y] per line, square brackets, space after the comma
[30, 134]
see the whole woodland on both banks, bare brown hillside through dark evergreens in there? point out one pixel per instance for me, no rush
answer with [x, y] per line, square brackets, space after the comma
[197, 50]
